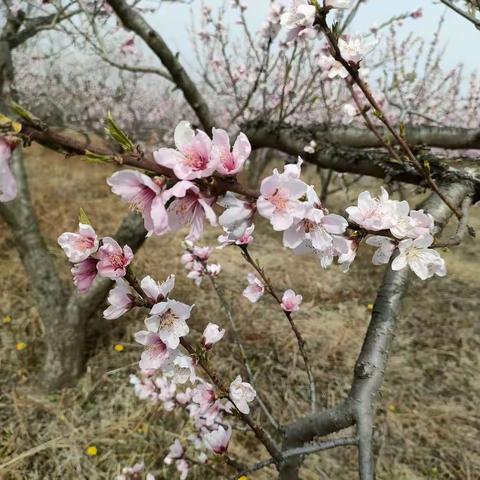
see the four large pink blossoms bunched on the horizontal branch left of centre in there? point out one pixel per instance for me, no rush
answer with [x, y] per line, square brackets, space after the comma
[196, 156]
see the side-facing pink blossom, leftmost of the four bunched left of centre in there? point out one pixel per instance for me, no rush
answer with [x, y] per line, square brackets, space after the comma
[144, 196]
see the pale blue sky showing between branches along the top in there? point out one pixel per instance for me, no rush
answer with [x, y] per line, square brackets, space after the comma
[460, 37]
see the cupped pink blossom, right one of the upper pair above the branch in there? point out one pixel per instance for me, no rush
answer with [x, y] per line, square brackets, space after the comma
[229, 162]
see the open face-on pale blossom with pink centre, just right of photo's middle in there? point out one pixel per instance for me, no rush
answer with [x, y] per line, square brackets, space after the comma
[279, 200]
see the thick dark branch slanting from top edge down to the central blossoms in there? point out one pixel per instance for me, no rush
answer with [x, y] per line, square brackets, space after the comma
[133, 21]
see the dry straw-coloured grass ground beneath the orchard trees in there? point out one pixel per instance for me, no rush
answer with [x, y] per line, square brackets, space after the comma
[427, 417]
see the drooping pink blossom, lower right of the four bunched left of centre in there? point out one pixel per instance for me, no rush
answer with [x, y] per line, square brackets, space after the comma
[190, 207]
